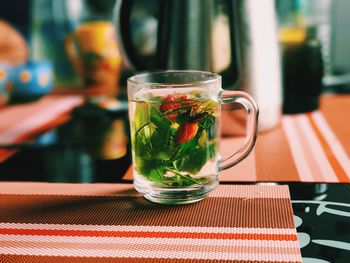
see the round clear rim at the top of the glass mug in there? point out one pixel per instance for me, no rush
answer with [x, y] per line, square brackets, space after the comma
[212, 77]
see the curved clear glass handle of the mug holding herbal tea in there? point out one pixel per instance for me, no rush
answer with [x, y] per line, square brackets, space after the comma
[252, 110]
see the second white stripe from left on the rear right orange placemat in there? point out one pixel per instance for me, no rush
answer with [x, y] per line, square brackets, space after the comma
[321, 159]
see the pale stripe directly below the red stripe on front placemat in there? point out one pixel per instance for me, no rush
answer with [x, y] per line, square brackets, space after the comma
[152, 241]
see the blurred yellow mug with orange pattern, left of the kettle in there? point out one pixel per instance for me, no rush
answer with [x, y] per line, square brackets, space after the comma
[93, 51]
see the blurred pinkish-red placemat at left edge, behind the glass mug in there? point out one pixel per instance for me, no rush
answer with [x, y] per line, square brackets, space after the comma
[21, 122]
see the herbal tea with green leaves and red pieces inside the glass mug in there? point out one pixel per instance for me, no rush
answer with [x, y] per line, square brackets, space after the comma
[174, 138]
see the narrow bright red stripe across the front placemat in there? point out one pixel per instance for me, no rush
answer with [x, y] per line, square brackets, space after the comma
[145, 234]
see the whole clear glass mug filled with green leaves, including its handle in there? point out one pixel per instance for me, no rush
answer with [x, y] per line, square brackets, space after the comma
[175, 133]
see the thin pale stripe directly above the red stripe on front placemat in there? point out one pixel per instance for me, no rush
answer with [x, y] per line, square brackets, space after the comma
[170, 229]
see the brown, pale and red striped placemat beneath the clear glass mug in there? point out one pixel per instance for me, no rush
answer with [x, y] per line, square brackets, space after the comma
[41, 222]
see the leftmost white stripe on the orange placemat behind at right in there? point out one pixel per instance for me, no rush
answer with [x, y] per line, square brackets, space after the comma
[296, 149]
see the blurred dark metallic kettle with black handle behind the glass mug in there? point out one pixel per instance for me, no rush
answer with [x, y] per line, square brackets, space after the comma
[189, 34]
